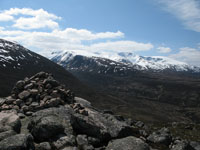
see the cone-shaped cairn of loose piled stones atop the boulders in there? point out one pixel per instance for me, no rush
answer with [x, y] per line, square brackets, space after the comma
[36, 93]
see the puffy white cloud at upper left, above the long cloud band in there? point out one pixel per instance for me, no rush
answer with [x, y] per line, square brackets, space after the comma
[34, 18]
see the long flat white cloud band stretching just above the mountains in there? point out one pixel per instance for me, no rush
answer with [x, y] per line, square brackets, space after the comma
[72, 39]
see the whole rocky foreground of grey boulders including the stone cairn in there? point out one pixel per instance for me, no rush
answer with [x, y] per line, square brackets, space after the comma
[41, 114]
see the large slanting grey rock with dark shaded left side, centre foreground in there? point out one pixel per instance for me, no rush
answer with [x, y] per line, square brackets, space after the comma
[99, 125]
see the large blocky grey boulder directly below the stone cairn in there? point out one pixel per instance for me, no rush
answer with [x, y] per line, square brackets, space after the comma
[48, 123]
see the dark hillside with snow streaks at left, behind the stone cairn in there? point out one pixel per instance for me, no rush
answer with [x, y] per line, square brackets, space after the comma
[17, 62]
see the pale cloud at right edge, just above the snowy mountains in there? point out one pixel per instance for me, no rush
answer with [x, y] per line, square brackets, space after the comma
[189, 55]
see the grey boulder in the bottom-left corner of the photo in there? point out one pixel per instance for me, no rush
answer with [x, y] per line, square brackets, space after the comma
[17, 142]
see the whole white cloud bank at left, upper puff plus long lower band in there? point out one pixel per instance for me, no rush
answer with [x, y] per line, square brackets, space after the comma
[58, 39]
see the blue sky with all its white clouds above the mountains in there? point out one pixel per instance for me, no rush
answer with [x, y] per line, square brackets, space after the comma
[168, 28]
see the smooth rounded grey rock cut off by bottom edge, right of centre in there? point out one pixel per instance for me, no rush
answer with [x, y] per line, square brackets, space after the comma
[128, 143]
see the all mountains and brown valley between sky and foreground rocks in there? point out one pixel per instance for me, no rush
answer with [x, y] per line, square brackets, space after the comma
[112, 83]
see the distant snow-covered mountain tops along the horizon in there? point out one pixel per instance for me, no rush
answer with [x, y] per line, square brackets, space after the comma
[122, 60]
